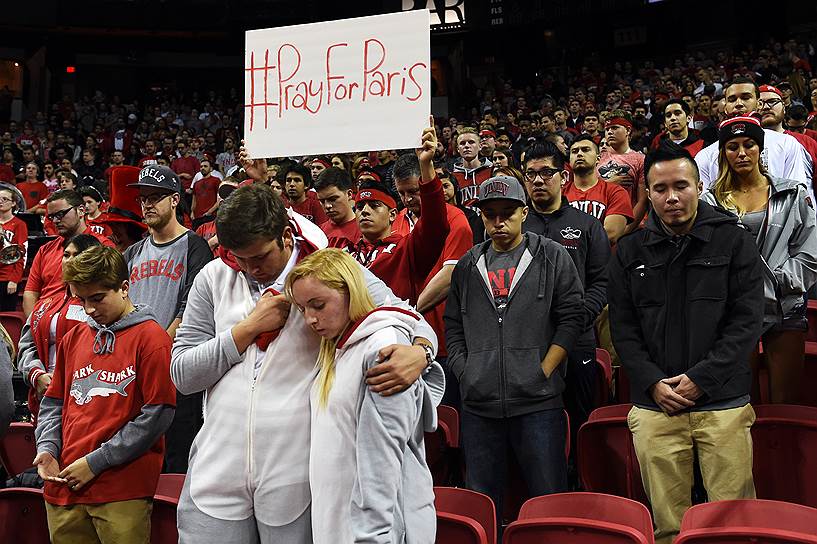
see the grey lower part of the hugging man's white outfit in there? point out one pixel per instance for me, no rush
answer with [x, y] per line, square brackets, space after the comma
[196, 527]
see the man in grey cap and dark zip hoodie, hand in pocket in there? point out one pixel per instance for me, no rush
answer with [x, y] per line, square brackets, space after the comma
[513, 313]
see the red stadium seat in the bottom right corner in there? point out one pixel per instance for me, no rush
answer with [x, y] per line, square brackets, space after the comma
[754, 520]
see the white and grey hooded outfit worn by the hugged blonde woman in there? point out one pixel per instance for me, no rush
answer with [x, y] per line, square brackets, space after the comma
[367, 468]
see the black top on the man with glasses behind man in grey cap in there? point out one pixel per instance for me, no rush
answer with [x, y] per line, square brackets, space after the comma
[583, 236]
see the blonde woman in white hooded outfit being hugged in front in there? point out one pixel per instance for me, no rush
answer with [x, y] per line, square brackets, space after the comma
[367, 470]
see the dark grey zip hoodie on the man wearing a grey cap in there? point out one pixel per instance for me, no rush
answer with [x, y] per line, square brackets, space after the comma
[497, 358]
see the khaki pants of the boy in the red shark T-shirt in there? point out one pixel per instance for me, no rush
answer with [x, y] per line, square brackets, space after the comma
[121, 522]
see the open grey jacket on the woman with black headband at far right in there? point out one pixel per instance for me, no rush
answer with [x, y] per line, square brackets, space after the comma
[788, 245]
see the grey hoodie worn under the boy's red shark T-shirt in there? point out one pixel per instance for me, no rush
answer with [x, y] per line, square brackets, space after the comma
[135, 437]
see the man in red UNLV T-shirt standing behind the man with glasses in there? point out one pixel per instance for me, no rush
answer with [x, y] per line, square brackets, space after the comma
[606, 201]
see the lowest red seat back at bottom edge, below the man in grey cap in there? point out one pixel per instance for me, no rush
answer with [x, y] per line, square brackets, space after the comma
[571, 531]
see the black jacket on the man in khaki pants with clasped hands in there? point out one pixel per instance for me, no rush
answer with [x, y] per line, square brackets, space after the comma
[687, 304]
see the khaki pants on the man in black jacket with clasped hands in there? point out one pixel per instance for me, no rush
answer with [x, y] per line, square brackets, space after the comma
[665, 447]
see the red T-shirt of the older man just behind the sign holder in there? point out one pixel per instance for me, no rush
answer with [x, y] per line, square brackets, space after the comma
[459, 240]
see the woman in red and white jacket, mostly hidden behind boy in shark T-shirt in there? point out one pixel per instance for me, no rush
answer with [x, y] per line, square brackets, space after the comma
[49, 322]
